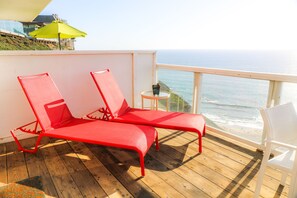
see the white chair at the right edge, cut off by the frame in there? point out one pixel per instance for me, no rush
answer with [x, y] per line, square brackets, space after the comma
[281, 125]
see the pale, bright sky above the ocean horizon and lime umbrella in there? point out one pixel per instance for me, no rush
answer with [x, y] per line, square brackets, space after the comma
[180, 24]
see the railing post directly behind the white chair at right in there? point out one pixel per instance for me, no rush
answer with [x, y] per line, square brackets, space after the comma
[274, 98]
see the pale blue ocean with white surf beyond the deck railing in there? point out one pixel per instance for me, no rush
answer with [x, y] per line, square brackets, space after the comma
[230, 103]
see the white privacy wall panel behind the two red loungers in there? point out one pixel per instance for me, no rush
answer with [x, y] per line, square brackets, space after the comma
[71, 73]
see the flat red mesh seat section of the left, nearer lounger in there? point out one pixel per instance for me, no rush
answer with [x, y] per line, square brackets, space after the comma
[128, 136]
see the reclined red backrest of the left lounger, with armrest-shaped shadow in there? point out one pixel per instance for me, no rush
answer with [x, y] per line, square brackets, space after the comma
[46, 101]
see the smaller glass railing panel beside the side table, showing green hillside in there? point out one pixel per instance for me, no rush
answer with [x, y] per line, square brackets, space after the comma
[180, 86]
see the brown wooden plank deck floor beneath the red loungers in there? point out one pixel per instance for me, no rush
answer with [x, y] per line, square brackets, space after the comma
[226, 168]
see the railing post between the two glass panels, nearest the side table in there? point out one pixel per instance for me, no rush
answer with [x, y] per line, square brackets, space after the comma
[197, 92]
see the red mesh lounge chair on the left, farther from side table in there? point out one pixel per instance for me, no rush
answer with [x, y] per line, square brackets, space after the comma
[56, 121]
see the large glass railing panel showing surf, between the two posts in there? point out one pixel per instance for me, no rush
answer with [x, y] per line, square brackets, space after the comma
[232, 104]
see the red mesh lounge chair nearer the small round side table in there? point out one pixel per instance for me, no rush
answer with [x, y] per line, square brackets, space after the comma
[118, 110]
